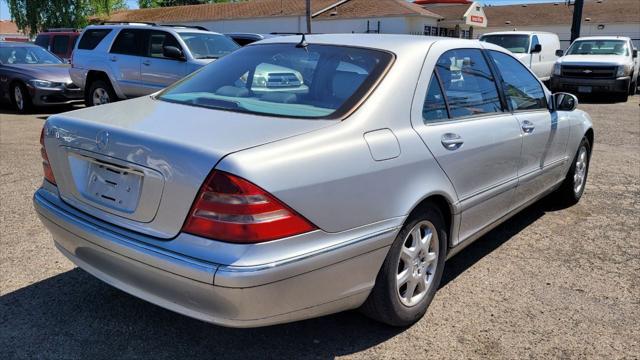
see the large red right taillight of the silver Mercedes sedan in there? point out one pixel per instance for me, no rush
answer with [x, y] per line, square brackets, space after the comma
[232, 209]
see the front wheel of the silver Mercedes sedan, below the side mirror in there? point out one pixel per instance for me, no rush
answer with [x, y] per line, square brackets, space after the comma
[570, 192]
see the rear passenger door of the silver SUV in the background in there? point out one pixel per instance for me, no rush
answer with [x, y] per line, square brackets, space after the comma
[125, 62]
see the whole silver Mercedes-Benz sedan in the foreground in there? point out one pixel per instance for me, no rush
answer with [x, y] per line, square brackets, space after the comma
[345, 186]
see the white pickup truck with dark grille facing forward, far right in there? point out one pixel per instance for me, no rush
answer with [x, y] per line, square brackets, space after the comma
[607, 64]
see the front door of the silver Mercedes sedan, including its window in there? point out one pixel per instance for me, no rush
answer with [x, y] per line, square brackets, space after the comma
[544, 133]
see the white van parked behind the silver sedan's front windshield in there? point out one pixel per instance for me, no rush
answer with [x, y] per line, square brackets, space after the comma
[535, 49]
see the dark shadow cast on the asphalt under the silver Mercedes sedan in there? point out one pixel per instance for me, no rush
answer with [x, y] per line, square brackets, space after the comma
[76, 315]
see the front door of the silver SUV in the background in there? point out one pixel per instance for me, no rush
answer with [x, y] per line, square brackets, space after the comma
[158, 71]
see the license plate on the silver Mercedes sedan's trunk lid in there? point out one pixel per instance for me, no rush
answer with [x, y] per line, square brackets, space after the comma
[114, 187]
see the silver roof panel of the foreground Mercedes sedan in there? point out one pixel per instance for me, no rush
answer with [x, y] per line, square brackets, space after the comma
[389, 42]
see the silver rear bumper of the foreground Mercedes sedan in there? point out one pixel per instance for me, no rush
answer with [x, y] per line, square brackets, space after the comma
[249, 297]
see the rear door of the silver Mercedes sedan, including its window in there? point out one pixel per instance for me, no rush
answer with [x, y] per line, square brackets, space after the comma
[464, 126]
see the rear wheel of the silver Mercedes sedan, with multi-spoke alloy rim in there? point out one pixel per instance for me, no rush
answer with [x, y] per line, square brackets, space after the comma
[391, 301]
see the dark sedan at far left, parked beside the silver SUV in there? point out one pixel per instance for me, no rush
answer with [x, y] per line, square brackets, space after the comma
[32, 76]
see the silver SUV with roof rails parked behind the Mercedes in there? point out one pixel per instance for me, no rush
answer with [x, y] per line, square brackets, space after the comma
[119, 61]
